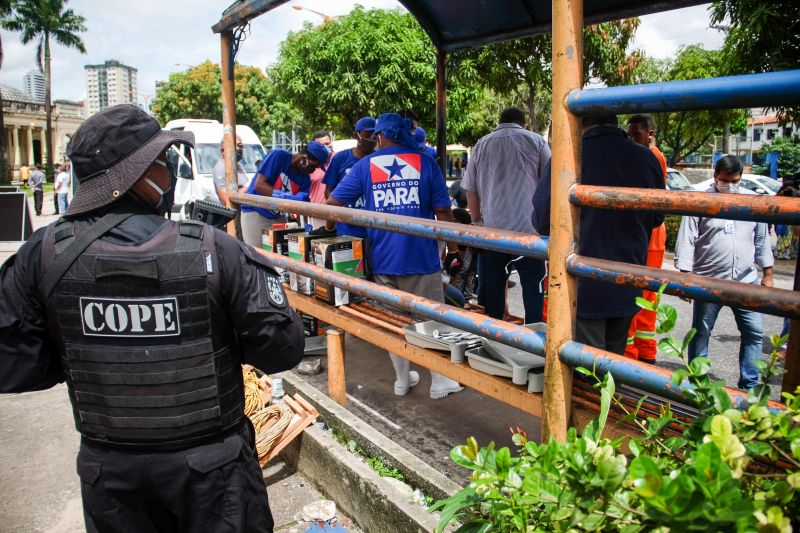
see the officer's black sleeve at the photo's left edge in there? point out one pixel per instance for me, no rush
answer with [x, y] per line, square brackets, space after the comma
[28, 360]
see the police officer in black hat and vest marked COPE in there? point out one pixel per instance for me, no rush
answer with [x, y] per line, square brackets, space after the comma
[147, 320]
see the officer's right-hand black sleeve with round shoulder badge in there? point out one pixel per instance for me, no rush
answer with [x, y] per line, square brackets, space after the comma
[270, 332]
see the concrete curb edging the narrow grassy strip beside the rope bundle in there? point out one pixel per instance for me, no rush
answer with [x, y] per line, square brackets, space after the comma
[374, 502]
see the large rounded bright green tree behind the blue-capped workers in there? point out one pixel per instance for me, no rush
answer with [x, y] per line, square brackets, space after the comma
[366, 63]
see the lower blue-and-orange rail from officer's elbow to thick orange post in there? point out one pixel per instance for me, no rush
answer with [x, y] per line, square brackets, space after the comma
[499, 330]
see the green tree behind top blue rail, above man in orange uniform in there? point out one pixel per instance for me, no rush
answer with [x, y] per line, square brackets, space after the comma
[684, 133]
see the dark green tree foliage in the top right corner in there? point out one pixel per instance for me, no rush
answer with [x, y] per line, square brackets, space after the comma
[759, 37]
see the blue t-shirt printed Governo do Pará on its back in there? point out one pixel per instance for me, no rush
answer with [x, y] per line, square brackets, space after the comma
[405, 182]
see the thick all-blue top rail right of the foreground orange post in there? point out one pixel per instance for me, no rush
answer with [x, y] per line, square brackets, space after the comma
[730, 92]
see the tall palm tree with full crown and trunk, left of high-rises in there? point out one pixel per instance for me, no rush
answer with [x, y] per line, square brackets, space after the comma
[46, 20]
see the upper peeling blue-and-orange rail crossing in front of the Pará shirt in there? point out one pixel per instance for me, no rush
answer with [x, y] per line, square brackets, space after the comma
[510, 242]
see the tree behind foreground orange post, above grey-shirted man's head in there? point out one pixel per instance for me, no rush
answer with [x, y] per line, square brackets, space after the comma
[522, 68]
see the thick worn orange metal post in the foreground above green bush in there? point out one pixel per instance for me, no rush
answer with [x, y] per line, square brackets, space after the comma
[562, 288]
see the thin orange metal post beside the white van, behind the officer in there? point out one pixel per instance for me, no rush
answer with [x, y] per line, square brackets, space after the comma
[229, 119]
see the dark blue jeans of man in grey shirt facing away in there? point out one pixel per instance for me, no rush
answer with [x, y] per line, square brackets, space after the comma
[493, 271]
